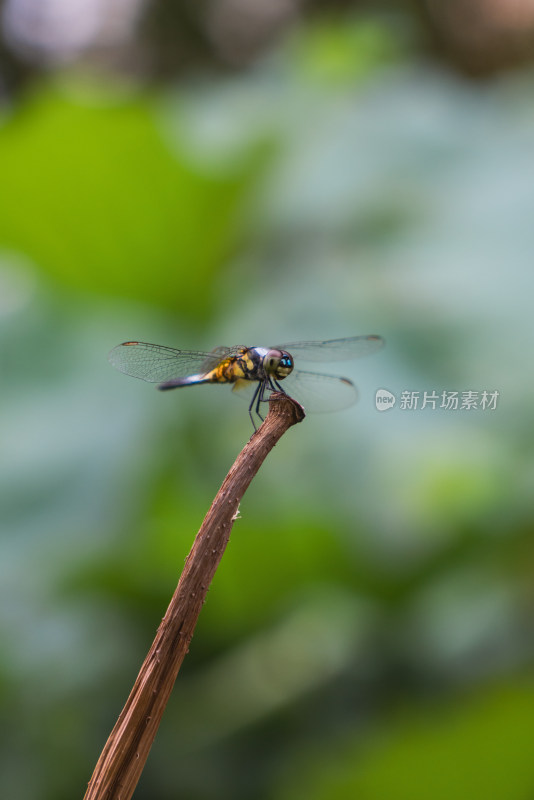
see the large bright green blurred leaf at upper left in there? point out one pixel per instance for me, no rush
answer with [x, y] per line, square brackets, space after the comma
[94, 196]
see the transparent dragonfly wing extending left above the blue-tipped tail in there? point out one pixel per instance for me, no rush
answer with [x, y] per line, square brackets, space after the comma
[157, 364]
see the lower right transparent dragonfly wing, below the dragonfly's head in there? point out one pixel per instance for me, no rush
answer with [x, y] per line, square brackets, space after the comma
[316, 392]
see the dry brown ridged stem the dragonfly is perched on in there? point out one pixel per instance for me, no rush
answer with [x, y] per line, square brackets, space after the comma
[122, 760]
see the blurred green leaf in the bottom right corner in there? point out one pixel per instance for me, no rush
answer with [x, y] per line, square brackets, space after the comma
[478, 747]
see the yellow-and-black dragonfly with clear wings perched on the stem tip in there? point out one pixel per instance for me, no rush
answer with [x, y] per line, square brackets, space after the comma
[261, 370]
